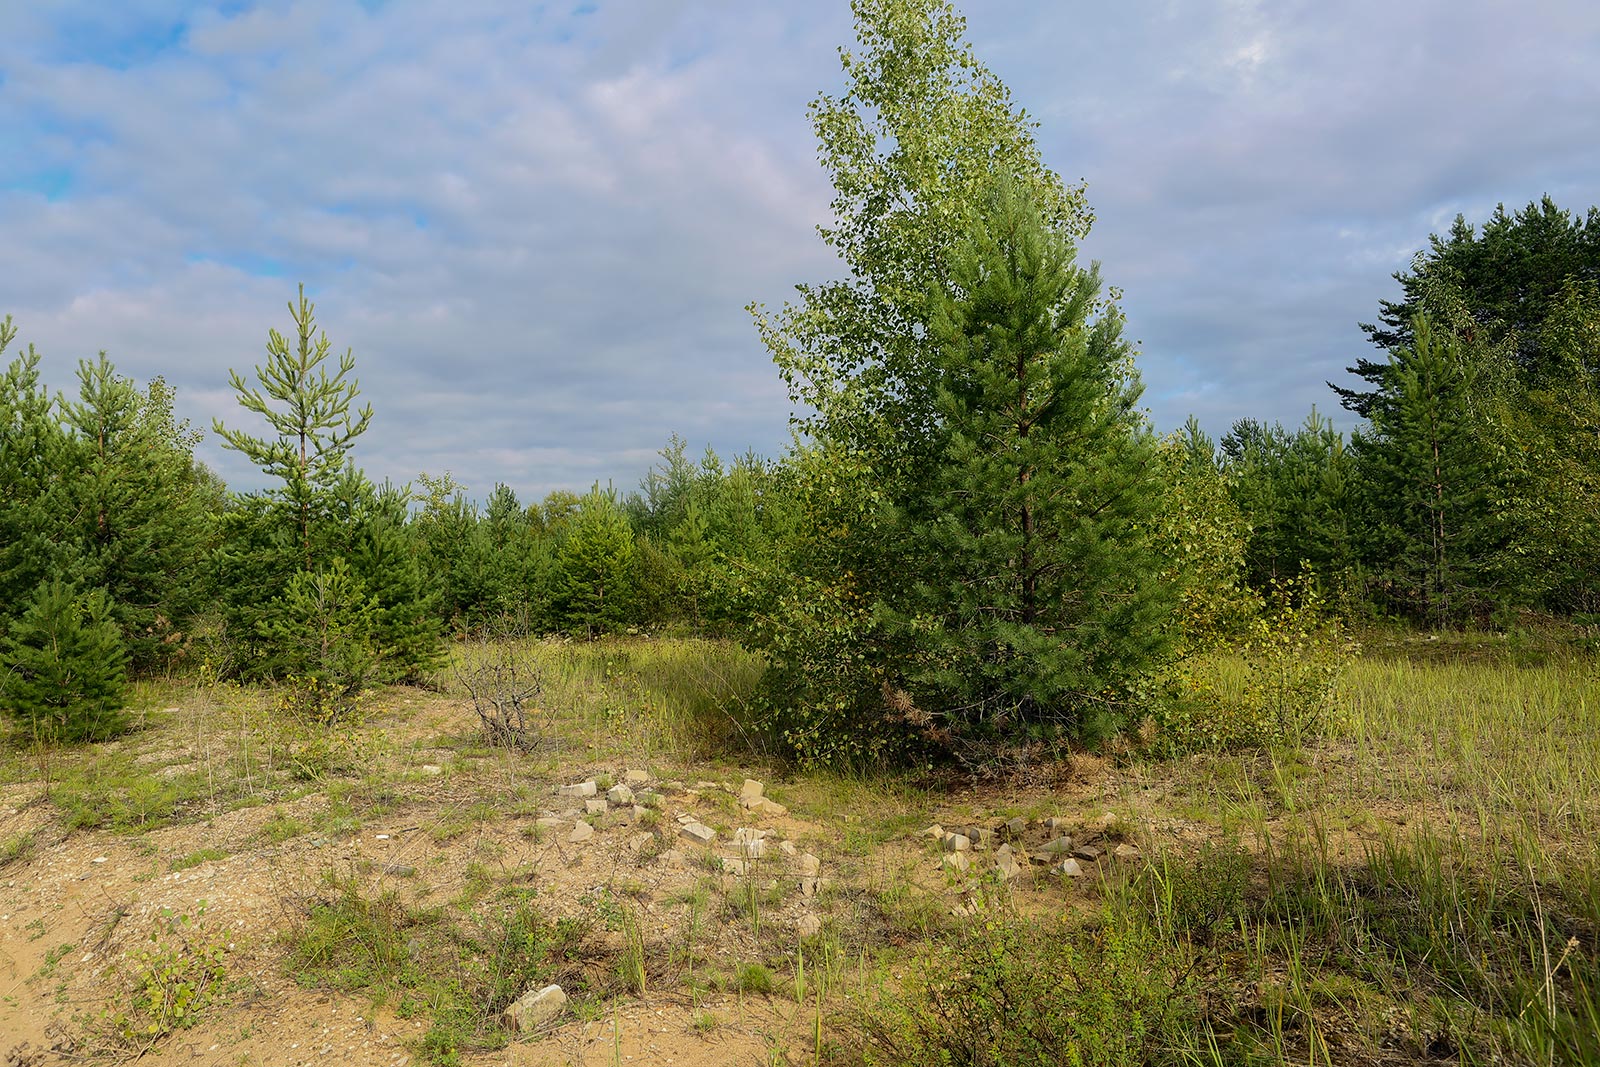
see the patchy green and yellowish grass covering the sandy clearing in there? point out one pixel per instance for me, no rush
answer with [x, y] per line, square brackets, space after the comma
[1418, 884]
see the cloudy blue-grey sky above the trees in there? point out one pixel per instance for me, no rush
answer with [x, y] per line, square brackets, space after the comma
[538, 225]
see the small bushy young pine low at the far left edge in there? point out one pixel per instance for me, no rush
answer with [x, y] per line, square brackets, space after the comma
[65, 666]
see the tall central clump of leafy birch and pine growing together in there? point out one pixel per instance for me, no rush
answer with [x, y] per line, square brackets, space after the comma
[969, 546]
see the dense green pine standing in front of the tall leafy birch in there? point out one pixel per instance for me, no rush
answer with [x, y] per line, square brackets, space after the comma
[1030, 538]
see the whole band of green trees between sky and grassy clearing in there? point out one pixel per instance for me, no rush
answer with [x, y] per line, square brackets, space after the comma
[977, 540]
